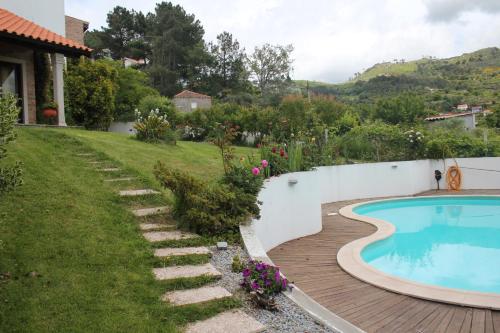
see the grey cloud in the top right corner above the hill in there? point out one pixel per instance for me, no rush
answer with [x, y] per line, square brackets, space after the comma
[449, 10]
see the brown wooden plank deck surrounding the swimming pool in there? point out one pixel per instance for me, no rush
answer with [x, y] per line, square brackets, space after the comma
[312, 264]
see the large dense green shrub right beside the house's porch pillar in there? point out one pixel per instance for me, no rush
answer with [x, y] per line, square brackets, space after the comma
[90, 93]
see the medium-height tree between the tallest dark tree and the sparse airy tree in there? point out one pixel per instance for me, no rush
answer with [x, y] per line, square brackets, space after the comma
[227, 73]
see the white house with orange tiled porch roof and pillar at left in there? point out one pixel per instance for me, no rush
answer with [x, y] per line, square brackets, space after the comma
[30, 27]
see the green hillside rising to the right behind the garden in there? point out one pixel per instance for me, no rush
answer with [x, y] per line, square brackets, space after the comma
[472, 78]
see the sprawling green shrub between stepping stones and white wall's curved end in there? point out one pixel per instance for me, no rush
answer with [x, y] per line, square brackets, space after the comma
[206, 208]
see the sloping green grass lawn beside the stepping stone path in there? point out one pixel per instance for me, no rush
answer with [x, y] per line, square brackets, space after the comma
[72, 258]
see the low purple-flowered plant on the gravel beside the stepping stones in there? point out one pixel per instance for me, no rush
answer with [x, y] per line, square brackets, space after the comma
[263, 278]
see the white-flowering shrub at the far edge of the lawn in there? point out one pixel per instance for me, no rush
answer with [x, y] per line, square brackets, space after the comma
[153, 127]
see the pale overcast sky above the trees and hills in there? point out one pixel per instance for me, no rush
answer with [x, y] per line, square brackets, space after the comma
[333, 39]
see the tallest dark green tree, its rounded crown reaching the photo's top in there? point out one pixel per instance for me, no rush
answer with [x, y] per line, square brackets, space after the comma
[178, 50]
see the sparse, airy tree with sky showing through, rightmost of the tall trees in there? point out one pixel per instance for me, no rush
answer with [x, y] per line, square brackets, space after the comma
[270, 67]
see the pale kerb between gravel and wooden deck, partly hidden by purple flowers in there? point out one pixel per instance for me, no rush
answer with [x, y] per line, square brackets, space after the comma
[310, 306]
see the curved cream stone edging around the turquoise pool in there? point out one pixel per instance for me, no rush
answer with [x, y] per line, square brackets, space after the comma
[349, 258]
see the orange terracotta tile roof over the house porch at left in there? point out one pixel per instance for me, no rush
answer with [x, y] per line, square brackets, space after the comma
[19, 26]
